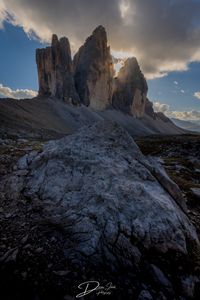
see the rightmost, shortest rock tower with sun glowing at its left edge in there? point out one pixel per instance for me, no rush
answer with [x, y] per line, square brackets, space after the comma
[130, 89]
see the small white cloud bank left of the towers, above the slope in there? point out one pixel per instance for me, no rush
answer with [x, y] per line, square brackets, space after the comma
[6, 92]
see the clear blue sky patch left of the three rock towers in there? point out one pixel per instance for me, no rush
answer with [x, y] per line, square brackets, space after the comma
[17, 58]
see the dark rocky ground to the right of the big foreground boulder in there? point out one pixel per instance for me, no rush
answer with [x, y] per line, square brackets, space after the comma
[181, 159]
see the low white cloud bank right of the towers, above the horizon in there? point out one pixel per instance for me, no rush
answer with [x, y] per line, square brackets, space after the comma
[182, 115]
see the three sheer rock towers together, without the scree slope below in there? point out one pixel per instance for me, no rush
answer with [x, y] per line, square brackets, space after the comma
[90, 80]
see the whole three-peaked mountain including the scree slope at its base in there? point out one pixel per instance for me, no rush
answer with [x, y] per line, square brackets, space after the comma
[86, 81]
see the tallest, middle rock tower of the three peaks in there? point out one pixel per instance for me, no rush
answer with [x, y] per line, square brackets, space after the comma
[93, 71]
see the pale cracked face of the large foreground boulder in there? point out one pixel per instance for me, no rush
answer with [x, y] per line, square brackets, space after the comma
[96, 186]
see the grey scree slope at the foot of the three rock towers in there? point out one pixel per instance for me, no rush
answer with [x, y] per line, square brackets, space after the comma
[48, 118]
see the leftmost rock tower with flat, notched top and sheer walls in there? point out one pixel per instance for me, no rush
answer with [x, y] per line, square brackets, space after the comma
[55, 71]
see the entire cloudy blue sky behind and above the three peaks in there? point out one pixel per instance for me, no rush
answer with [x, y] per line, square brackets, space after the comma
[164, 35]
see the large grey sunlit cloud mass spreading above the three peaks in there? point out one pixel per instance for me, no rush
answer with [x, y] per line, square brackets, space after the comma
[163, 35]
